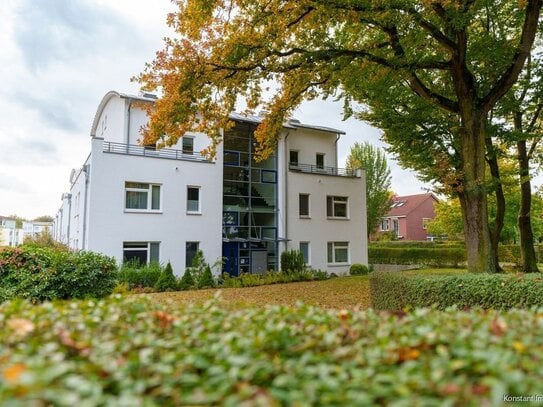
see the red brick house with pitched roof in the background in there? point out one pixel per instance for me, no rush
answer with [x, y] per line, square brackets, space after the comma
[408, 217]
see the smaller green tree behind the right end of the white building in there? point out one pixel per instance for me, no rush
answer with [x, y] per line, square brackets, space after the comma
[378, 195]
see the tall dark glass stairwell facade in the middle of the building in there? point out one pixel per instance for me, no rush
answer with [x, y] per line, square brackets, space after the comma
[250, 241]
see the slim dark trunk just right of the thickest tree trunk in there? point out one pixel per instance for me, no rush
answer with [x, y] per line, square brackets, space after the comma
[496, 230]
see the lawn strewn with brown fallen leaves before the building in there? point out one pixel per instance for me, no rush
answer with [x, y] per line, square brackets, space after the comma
[341, 292]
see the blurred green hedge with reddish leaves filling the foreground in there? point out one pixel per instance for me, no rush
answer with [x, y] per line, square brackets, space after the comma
[134, 353]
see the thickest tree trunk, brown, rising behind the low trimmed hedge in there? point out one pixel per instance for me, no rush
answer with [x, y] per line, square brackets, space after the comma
[472, 195]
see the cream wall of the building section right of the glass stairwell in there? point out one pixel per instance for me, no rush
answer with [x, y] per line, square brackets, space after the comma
[318, 230]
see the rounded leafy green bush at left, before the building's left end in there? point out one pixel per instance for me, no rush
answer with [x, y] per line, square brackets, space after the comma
[41, 274]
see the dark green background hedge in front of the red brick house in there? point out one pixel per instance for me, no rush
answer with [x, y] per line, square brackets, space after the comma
[431, 256]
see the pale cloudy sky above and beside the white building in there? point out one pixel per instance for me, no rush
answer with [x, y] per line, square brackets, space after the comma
[59, 58]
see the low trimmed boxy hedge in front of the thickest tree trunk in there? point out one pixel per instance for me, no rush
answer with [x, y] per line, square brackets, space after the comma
[400, 290]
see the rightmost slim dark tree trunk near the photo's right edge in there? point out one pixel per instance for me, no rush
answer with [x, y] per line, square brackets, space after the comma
[527, 251]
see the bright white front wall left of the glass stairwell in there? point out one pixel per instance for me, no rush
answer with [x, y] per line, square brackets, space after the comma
[109, 224]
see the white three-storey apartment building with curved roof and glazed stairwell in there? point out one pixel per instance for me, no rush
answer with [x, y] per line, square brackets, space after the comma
[137, 202]
